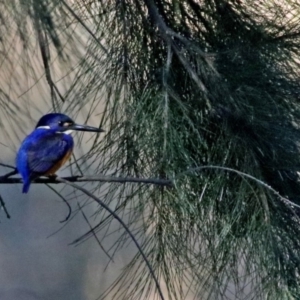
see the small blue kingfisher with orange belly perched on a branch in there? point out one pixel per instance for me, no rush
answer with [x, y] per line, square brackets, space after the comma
[48, 147]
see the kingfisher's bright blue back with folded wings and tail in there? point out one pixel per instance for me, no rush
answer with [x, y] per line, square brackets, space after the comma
[40, 151]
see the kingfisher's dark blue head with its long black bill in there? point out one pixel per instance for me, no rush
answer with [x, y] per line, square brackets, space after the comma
[62, 123]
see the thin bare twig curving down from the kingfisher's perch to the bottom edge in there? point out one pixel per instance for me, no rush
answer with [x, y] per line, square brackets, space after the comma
[106, 207]
